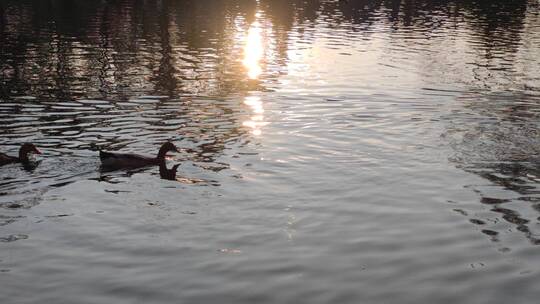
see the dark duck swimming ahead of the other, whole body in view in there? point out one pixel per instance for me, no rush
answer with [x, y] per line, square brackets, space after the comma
[114, 161]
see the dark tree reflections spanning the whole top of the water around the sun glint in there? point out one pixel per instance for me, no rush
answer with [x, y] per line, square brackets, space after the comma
[114, 49]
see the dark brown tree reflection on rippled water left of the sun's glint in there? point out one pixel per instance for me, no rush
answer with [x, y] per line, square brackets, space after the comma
[107, 50]
